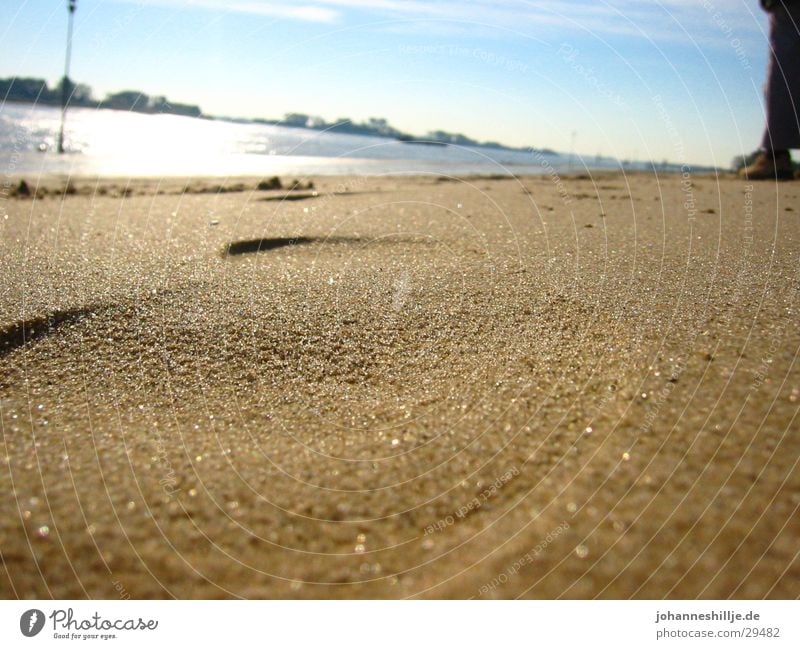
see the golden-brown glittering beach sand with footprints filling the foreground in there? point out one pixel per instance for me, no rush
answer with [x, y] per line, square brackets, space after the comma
[400, 387]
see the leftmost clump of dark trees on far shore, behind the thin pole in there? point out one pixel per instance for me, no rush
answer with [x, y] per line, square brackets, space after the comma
[36, 91]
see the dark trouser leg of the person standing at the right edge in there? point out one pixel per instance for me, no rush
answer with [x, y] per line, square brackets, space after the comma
[783, 82]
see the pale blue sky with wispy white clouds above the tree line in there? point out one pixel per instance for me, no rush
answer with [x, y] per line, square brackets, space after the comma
[676, 80]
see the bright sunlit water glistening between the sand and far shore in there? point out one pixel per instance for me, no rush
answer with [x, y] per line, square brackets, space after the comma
[124, 144]
